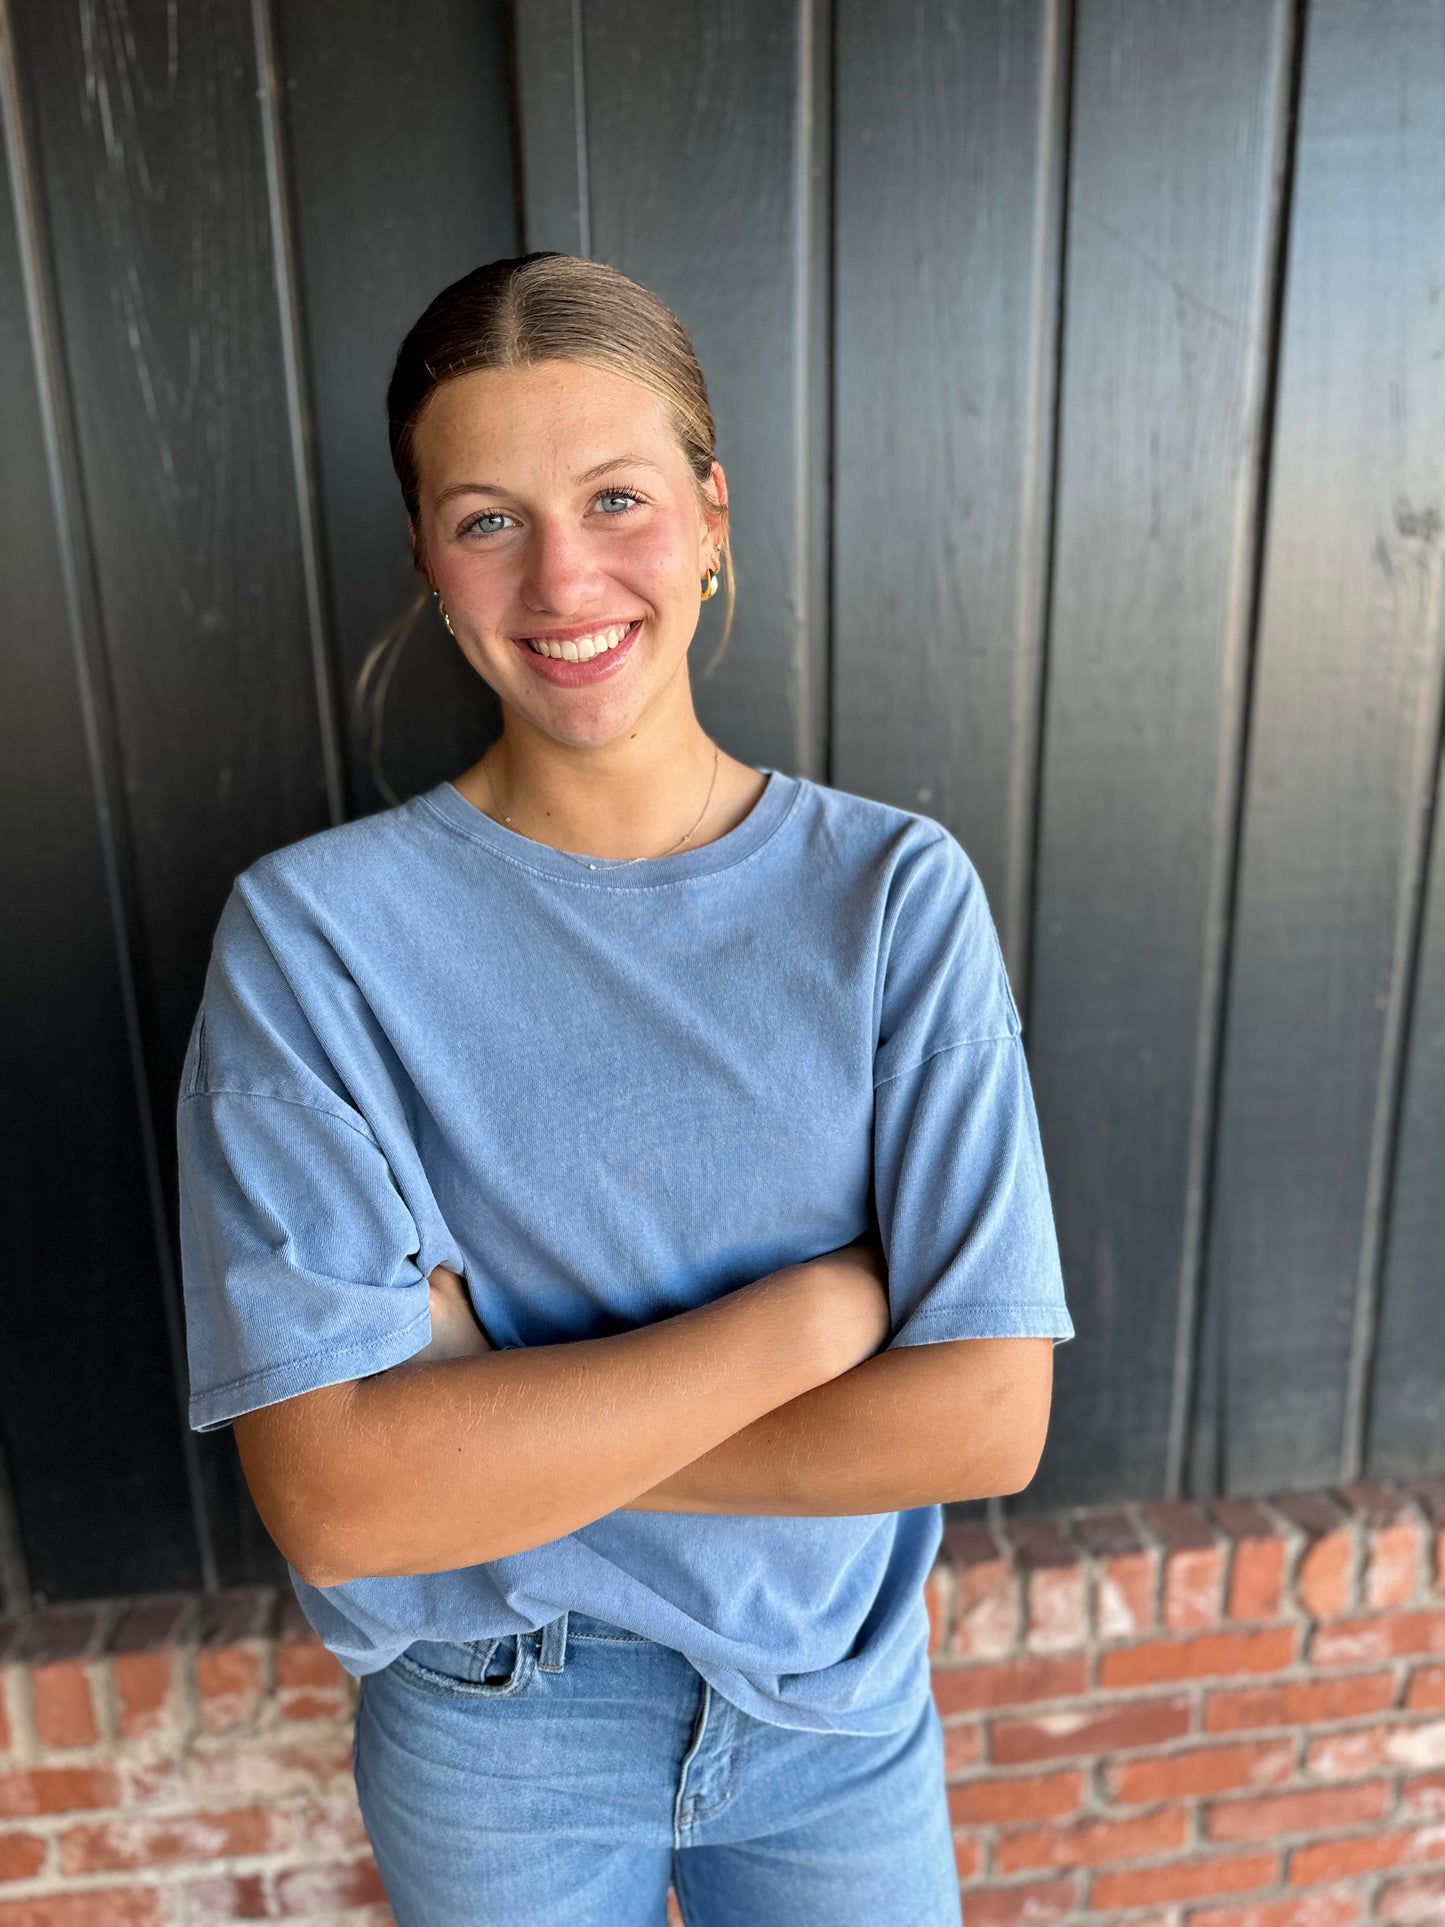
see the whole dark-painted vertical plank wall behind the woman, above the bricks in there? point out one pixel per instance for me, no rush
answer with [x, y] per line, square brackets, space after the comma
[1082, 388]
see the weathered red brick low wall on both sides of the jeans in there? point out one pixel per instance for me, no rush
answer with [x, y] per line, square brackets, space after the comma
[1169, 1716]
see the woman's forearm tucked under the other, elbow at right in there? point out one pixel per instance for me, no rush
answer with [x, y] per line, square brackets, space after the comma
[914, 1427]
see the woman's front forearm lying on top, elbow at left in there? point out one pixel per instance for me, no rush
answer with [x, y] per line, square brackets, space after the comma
[460, 1460]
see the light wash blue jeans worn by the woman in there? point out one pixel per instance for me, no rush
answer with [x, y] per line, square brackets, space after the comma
[562, 1778]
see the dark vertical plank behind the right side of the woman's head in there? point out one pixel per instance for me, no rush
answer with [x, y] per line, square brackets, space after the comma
[706, 138]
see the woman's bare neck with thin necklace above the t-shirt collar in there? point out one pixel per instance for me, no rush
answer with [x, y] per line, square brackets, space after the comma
[627, 799]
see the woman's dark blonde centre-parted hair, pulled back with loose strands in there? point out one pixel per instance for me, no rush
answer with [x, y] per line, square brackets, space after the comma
[510, 315]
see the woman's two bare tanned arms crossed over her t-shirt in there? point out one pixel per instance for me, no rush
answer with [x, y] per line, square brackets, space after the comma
[774, 1400]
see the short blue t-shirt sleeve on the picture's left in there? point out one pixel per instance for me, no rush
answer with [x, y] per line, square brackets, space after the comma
[298, 1248]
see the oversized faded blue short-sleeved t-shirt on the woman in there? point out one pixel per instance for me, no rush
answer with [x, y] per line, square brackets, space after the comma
[608, 1094]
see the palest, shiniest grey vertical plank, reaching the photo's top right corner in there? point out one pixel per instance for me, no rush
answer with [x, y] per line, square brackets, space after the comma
[1342, 758]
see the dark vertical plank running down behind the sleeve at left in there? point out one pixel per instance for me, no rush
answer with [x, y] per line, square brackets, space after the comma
[151, 144]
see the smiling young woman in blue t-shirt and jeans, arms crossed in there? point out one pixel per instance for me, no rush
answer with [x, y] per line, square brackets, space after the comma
[542, 1140]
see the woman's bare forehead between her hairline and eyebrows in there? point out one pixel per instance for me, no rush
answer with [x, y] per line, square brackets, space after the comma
[552, 419]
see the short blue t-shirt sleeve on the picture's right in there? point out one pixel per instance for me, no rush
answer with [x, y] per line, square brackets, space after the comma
[962, 1196]
